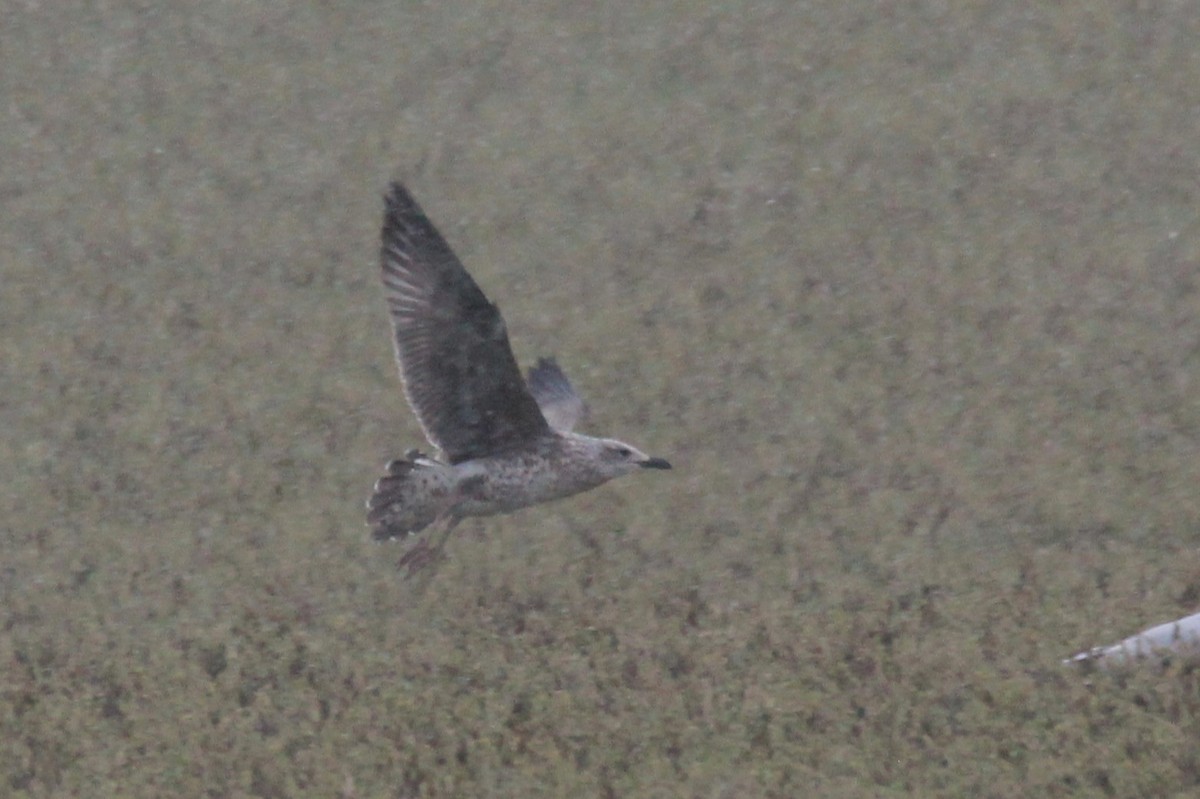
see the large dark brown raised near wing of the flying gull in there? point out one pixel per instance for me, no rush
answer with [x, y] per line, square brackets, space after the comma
[454, 353]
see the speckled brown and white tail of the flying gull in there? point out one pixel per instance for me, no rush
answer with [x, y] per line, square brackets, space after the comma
[412, 495]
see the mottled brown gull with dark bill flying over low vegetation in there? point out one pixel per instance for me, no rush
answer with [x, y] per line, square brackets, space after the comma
[505, 442]
